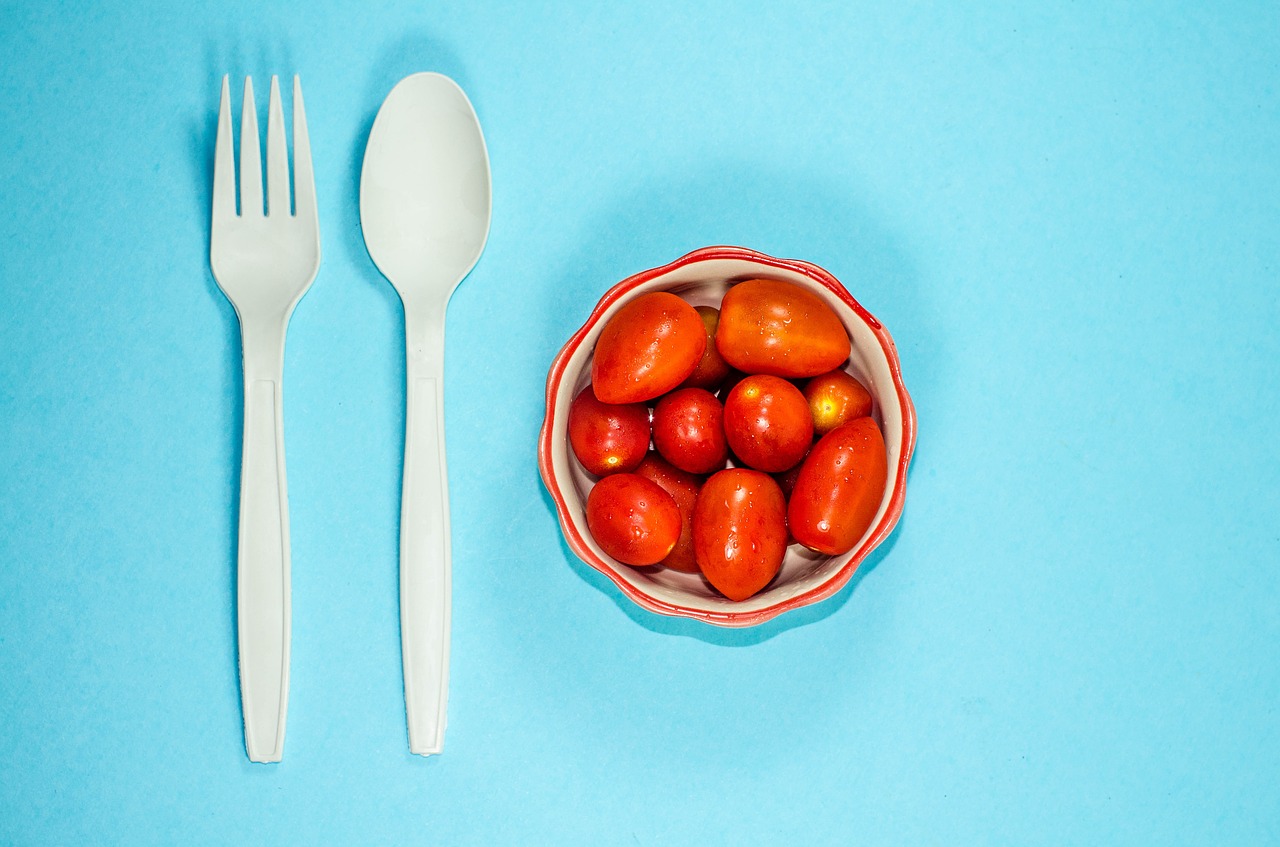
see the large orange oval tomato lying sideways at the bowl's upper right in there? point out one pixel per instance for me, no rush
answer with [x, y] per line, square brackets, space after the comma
[771, 327]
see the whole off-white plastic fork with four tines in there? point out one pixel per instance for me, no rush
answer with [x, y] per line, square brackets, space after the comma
[264, 262]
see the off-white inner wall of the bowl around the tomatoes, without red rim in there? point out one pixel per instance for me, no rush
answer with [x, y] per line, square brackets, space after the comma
[705, 285]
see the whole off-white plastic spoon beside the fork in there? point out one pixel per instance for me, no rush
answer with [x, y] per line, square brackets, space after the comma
[424, 209]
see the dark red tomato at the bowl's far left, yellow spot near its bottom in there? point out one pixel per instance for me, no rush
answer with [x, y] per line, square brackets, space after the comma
[607, 438]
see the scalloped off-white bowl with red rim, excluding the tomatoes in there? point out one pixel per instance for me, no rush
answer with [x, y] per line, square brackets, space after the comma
[806, 578]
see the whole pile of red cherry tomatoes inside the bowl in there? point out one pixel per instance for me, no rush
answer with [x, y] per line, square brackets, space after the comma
[758, 382]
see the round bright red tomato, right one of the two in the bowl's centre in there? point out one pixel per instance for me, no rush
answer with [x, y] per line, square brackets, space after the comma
[769, 424]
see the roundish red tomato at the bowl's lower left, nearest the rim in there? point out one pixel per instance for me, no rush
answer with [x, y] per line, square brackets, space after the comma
[633, 519]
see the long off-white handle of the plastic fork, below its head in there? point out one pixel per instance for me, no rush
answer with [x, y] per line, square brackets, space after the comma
[263, 574]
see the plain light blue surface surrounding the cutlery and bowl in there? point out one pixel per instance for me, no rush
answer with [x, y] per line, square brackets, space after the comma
[1067, 213]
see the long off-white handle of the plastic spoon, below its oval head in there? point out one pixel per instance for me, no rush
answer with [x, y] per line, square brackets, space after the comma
[426, 557]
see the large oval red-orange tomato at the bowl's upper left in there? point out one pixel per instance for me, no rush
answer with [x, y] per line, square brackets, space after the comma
[651, 346]
